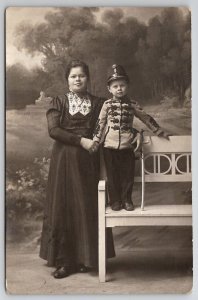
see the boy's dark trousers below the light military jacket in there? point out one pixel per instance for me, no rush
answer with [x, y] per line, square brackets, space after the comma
[120, 168]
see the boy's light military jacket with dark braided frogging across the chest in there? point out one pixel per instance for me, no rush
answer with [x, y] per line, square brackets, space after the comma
[115, 123]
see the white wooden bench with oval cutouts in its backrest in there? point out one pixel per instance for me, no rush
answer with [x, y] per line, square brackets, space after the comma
[161, 161]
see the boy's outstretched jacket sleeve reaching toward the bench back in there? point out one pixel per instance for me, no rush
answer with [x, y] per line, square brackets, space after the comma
[146, 119]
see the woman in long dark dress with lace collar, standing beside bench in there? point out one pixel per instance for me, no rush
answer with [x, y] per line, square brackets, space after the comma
[69, 236]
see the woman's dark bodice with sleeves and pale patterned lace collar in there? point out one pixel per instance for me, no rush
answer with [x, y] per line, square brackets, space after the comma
[73, 119]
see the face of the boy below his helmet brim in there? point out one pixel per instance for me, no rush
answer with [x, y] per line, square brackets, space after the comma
[118, 88]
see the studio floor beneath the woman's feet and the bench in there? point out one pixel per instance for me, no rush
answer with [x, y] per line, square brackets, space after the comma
[131, 272]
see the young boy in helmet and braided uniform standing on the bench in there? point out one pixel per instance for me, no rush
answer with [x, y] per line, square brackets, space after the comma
[115, 126]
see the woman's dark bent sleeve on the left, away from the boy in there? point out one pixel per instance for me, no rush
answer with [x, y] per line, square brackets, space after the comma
[57, 133]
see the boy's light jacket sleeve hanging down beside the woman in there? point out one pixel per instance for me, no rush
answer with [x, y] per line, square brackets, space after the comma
[100, 124]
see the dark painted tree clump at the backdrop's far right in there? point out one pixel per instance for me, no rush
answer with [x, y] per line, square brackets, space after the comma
[165, 54]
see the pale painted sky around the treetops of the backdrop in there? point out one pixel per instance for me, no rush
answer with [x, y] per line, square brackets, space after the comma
[34, 15]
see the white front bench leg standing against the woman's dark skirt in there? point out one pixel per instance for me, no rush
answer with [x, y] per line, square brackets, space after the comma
[101, 236]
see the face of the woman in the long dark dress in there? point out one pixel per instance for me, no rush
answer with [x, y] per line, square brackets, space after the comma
[77, 80]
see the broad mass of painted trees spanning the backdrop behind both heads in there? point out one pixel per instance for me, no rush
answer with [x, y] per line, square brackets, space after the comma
[156, 56]
